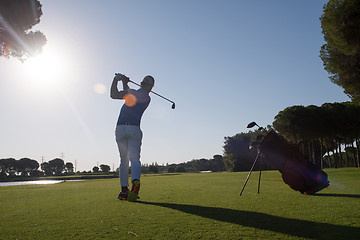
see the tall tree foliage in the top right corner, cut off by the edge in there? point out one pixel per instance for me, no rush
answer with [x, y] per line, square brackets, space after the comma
[341, 54]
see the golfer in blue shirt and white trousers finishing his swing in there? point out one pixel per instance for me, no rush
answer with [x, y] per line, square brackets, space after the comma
[128, 133]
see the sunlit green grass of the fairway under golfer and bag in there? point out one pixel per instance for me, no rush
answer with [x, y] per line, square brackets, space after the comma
[184, 206]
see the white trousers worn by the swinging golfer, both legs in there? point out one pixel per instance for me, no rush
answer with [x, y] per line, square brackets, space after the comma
[128, 138]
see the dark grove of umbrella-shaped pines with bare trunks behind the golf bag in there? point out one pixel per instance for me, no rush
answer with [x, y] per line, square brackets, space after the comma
[321, 130]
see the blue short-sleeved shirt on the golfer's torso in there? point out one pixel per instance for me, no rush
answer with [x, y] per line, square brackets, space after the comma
[132, 114]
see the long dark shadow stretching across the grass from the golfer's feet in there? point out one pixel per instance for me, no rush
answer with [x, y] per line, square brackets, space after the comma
[293, 227]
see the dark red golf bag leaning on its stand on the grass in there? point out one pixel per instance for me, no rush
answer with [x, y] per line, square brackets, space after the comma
[299, 173]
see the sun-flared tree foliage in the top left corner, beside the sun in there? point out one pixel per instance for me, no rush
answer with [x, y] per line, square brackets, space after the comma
[17, 17]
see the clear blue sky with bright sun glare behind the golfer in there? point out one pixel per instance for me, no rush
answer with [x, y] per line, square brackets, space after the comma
[224, 63]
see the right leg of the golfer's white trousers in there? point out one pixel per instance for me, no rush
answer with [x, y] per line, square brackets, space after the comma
[134, 153]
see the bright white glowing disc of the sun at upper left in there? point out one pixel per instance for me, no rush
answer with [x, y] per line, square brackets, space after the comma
[46, 70]
